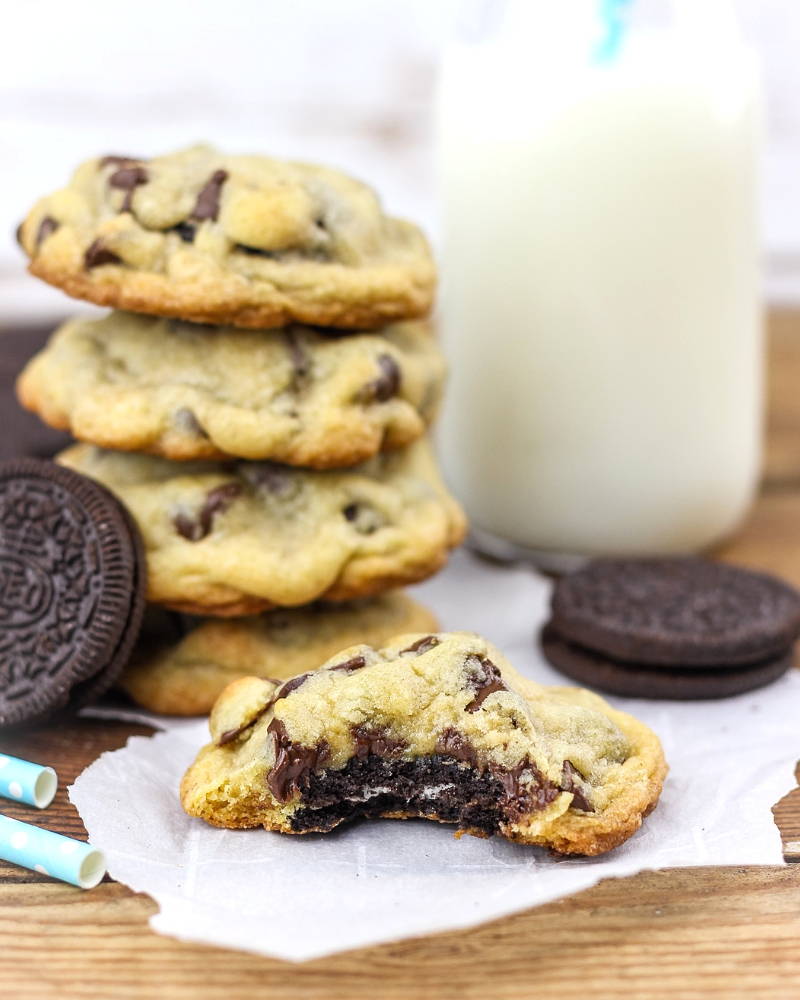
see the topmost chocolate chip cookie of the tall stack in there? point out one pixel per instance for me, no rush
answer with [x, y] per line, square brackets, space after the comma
[245, 240]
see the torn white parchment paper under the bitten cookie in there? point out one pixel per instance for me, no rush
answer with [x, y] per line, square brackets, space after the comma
[302, 897]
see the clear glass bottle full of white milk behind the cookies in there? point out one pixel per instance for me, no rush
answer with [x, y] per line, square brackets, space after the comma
[600, 301]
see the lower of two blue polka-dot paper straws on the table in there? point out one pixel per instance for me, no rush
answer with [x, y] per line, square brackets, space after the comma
[51, 854]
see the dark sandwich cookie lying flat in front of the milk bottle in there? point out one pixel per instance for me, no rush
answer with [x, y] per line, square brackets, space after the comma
[671, 628]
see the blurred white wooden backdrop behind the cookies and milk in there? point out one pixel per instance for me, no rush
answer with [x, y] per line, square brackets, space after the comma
[347, 82]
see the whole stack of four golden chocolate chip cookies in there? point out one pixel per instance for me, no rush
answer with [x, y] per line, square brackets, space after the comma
[260, 407]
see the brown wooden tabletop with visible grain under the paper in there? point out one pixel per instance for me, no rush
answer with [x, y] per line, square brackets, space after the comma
[678, 934]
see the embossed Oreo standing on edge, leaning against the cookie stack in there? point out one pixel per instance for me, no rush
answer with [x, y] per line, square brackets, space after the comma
[72, 589]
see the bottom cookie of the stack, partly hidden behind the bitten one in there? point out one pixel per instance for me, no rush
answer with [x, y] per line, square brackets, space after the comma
[182, 664]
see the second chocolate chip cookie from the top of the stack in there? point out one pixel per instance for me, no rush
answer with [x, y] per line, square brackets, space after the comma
[184, 391]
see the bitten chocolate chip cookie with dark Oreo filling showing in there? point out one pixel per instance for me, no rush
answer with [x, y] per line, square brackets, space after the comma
[437, 726]
